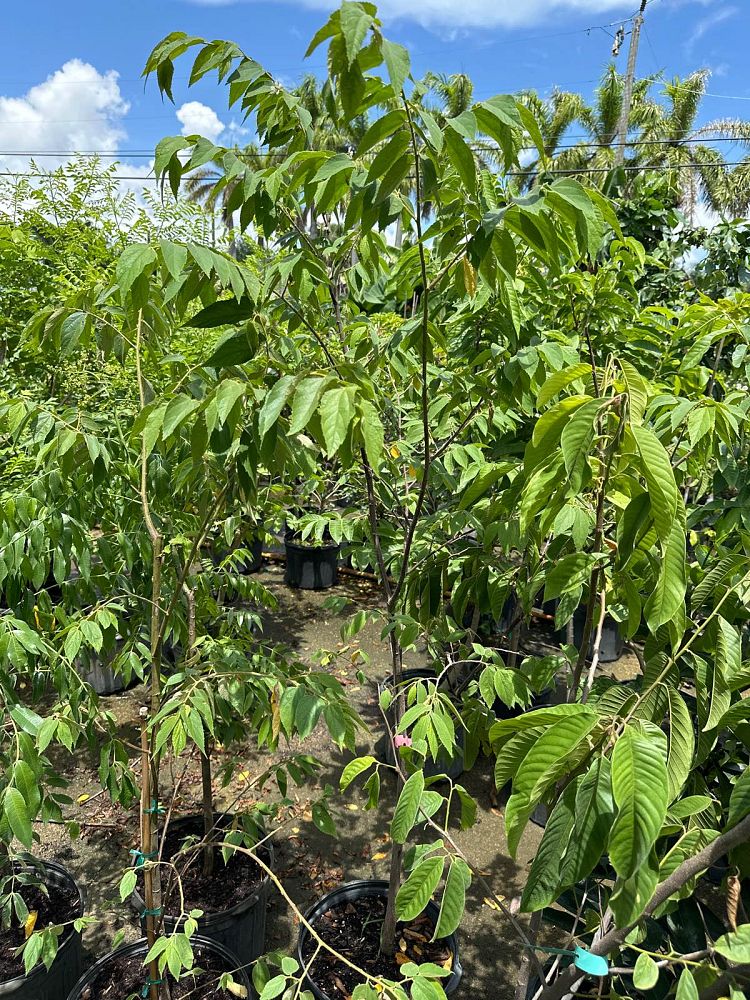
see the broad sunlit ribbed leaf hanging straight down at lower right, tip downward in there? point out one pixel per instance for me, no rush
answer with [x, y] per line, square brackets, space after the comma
[639, 784]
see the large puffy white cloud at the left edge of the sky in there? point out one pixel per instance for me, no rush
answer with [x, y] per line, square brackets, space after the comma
[77, 108]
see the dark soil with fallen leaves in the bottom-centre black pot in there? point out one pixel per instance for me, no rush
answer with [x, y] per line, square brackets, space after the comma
[353, 929]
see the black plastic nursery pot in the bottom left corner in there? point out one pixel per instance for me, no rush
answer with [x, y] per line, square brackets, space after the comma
[41, 984]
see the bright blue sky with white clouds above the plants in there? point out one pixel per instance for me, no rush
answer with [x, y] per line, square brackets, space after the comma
[70, 69]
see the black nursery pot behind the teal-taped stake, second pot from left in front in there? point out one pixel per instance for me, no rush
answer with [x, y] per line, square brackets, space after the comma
[240, 928]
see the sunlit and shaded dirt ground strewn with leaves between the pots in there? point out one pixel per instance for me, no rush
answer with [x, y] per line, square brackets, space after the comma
[308, 862]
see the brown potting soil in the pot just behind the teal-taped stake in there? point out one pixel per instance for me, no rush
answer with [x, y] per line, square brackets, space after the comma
[229, 883]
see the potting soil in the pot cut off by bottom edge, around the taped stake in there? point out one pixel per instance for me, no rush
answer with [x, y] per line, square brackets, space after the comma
[124, 976]
